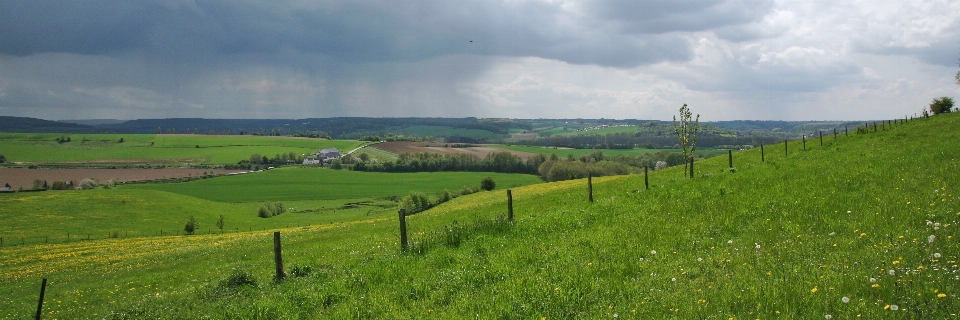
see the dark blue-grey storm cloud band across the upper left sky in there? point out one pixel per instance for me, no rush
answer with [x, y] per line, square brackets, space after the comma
[363, 31]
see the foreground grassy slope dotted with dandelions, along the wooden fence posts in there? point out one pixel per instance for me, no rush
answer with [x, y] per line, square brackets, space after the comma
[863, 226]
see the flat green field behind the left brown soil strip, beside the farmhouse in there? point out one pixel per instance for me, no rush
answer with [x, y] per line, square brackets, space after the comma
[26, 148]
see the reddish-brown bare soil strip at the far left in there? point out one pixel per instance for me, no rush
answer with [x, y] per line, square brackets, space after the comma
[21, 177]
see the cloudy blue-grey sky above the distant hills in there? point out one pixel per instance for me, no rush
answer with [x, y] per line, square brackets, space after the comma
[614, 59]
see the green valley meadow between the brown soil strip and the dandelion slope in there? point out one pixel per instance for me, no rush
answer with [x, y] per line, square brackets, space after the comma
[312, 196]
